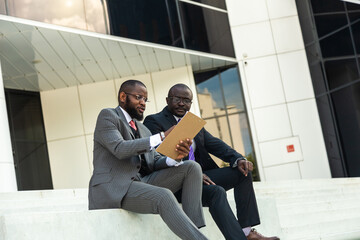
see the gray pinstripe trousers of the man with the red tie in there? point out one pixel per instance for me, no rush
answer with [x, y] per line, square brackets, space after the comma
[154, 194]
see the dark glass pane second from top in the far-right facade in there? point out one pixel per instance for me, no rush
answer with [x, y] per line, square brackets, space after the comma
[328, 23]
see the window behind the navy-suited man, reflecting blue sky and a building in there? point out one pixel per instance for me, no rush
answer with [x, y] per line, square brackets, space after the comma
[222, 106]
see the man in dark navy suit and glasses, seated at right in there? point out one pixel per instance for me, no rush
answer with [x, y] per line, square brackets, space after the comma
[216, 180]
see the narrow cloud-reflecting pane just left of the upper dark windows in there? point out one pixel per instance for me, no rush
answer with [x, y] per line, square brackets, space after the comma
[95, 19]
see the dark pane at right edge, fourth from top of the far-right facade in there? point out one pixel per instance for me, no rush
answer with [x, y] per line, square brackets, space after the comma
[340, 72]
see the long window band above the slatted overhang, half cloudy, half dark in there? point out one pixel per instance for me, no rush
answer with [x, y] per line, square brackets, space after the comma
[168, 22]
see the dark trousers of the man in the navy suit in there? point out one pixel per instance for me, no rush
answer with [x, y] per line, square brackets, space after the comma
[214, 197]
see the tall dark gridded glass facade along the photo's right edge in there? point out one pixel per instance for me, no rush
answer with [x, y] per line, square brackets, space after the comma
[331, 31]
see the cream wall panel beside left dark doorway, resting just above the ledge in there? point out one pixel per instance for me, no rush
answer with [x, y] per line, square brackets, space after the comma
[69, 163]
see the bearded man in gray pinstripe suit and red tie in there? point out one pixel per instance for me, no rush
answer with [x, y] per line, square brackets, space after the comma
[130, 174]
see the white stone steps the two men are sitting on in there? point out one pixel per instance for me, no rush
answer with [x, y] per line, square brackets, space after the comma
[325, 209]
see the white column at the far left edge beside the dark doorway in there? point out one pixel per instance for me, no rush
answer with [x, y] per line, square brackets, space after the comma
[7, 170]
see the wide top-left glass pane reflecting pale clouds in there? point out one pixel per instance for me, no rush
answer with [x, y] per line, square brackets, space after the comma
[69, 13]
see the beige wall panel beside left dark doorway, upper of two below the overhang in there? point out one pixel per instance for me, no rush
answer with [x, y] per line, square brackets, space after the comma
[62, 115]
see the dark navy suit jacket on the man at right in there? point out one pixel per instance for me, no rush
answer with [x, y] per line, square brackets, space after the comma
[205, 142]
